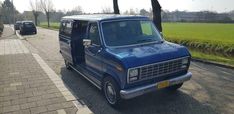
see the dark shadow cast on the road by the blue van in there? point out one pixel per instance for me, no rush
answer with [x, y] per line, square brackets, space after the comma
[157, 102]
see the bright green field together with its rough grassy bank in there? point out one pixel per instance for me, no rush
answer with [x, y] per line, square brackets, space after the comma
[217, 38]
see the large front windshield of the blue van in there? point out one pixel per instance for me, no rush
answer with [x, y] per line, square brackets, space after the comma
[122, 33]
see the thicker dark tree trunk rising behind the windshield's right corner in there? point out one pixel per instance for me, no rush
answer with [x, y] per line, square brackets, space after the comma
[157, 14]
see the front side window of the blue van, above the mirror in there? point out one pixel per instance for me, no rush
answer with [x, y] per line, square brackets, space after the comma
[94, 34]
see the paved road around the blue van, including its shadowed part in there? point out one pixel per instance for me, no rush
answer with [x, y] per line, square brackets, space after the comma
[209, 91]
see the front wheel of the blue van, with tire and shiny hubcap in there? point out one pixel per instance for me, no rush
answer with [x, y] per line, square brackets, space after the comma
[111, 92]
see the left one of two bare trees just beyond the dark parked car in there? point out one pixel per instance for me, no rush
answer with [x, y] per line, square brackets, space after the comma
[35, 7]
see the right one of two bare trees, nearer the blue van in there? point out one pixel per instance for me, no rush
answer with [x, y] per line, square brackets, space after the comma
[47, 8]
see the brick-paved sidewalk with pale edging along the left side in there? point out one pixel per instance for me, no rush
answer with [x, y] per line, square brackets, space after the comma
[27, 86]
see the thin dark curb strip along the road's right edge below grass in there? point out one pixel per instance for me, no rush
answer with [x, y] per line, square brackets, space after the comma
[212, 63]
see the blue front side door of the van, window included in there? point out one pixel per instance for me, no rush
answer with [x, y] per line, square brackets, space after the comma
[92, 52]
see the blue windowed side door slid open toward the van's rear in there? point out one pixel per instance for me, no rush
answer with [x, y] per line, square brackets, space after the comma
[65, 40]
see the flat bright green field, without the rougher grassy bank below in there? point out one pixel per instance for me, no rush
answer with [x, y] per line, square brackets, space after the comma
[202, 32]
